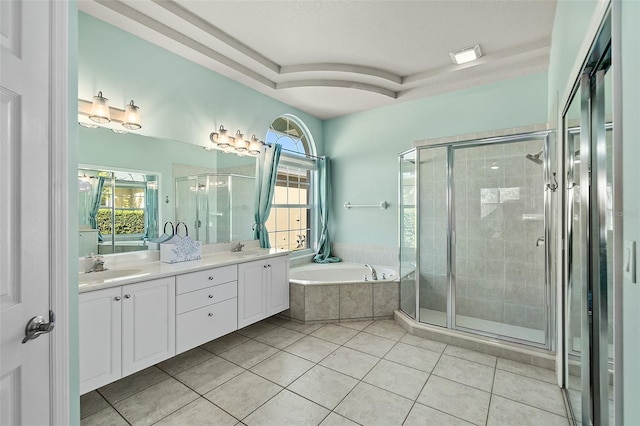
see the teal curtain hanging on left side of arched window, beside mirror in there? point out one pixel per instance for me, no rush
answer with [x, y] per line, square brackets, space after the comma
[266, 174]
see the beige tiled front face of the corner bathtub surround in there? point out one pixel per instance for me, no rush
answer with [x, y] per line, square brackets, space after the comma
[343, 302]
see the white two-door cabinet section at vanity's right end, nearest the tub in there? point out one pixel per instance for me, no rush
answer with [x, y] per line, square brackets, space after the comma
[263, 289]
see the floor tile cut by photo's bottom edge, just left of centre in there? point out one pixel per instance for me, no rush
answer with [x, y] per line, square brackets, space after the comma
[287, 408]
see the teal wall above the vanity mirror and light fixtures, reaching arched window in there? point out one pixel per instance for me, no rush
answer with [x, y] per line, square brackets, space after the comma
[178, 99]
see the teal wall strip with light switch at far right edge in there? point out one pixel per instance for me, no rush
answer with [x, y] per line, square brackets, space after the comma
[630, 58]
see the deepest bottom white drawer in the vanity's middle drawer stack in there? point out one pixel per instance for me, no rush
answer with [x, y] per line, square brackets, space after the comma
[202, 325]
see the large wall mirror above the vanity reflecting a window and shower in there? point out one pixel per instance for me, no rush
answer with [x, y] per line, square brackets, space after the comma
[130, 185]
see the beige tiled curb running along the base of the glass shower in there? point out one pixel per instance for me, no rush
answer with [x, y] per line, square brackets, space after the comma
[513, 352]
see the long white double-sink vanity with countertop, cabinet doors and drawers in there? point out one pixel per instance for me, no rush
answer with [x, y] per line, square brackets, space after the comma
[141, 311]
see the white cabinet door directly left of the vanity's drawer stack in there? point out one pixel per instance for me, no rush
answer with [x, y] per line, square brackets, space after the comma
[148, 323]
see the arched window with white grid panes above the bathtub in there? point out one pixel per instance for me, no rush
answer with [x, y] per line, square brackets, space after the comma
[291, 223]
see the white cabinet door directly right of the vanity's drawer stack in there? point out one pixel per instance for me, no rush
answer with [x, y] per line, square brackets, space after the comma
[252, 296]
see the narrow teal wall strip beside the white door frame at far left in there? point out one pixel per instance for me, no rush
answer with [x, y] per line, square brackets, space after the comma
[72, 146]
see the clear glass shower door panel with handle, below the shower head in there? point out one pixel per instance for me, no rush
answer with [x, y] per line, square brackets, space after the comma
[499, 251]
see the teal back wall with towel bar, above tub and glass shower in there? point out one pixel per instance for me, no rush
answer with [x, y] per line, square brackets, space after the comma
[364, 147]
